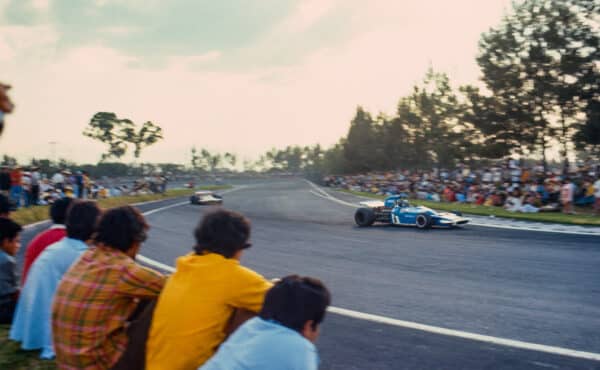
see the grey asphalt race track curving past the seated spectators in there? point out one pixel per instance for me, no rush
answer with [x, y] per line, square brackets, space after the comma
[528, 286]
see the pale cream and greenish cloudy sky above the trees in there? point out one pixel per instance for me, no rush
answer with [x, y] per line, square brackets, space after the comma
[241, 76]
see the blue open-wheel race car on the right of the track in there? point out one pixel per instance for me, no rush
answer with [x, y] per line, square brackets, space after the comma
[396, 210]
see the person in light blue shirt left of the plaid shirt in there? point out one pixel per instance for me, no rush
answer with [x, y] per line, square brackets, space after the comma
[32, 322]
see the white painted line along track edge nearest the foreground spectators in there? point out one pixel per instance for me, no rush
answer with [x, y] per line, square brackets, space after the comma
[433, 329]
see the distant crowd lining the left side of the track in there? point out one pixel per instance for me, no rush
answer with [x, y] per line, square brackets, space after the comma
[28, 186]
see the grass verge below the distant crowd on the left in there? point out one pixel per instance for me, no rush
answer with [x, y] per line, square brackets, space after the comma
[30, 215]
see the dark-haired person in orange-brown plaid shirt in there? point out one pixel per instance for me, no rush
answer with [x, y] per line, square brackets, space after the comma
[96, 299]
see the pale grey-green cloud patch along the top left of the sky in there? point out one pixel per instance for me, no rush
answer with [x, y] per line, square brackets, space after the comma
[153, 30]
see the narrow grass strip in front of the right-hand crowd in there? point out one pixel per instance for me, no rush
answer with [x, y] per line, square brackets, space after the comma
[555, 217]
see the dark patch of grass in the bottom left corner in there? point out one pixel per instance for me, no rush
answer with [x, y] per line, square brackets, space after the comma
[14, 358]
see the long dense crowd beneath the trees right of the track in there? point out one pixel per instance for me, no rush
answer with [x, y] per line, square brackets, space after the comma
[516, 187]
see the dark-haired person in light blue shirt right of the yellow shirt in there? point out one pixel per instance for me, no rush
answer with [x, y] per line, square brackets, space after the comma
[282, 337]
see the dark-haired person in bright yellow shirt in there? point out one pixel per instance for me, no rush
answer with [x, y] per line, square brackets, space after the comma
[201, 296]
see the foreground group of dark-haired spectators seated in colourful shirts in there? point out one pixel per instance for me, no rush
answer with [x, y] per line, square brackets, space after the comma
[85, 301]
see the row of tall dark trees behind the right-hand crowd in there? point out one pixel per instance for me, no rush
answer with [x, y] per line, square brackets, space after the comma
[541, 74]
